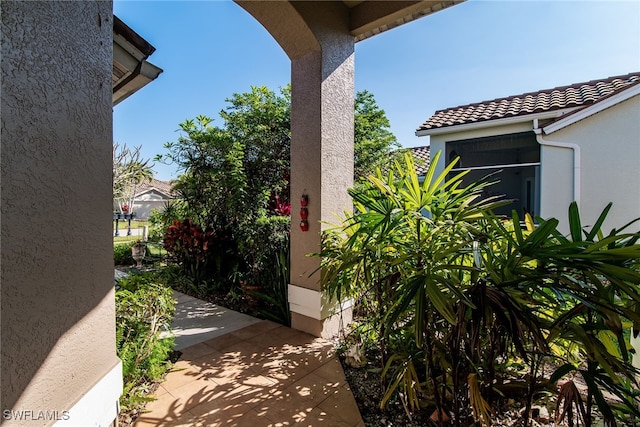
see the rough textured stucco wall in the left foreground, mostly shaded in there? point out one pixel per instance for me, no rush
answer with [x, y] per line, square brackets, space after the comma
[57, 302]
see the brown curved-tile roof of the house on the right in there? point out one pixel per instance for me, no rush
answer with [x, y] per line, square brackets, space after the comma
[574, 95]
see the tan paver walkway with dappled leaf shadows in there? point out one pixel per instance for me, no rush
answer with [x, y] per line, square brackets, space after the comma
[255, 374]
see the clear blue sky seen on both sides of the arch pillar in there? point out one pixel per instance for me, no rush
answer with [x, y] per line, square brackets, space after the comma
[471, 52]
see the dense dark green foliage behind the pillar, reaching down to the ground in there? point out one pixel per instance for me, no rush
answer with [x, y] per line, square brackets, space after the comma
[235, 187]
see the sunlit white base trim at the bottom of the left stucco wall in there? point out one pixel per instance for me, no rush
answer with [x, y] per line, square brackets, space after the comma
[99, 407]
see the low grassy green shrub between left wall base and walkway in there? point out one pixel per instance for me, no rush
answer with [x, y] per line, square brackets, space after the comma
[144, 310]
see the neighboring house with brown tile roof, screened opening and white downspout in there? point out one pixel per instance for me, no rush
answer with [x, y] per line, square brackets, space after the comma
[579, 142]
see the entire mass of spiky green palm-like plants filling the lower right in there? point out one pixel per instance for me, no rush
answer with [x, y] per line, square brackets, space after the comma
[466, 309]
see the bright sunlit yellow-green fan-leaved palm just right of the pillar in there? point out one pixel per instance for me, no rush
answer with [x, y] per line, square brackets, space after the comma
[406, 252]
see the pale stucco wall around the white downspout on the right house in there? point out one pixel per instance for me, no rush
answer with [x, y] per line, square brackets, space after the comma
[609, 163]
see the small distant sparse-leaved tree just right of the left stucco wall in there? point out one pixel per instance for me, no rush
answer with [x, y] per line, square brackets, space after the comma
[129, 171]
